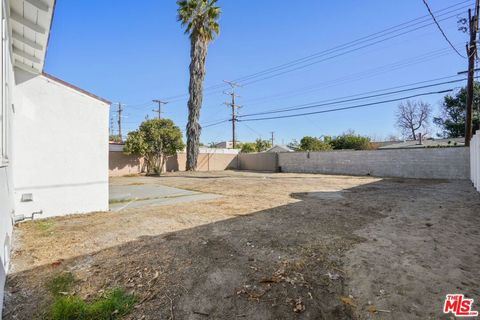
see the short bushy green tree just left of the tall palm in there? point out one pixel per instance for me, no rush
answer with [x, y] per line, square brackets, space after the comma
[155, 140]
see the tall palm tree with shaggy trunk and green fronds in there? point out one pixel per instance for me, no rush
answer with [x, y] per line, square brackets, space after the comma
[200, 19]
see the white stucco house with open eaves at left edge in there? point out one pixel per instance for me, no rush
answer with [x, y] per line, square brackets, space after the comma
[53, 135]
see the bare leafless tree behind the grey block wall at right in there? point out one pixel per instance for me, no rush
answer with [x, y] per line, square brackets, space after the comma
[412, 116]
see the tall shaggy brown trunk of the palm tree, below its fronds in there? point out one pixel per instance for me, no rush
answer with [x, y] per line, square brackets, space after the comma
[198, 55]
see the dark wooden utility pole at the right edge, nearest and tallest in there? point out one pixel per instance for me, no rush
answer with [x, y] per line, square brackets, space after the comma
[472, 54]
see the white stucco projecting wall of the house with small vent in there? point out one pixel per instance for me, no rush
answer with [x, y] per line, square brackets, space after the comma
[60, 148]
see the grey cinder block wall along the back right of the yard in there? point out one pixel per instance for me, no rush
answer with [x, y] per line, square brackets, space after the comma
[425, 163]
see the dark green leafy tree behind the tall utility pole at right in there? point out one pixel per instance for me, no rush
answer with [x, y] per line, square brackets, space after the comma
[452, 117]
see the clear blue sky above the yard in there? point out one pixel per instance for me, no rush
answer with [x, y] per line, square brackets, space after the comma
[136, 51]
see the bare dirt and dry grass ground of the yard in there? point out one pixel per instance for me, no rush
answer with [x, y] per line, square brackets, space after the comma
[275, 246]
